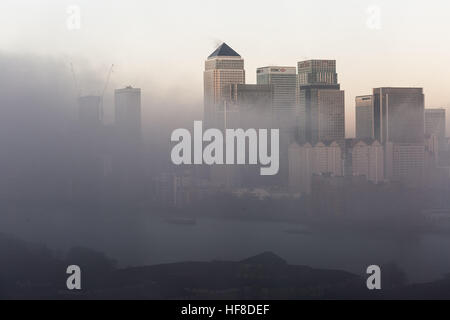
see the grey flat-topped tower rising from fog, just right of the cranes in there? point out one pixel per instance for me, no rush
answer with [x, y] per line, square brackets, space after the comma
[127, 110]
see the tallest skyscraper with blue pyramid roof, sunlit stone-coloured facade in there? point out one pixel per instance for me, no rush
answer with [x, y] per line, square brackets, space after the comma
[222, 68]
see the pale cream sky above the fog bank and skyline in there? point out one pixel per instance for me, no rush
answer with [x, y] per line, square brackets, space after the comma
[161, 46]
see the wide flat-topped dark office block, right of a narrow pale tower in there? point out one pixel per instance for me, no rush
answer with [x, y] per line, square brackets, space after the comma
[398, 115]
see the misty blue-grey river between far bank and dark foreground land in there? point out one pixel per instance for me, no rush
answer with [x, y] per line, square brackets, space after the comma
[144, 239]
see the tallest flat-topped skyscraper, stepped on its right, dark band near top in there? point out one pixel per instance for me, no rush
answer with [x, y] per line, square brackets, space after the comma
[321, 107]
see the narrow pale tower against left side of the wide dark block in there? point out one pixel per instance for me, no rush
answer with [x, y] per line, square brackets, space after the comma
[364, 117]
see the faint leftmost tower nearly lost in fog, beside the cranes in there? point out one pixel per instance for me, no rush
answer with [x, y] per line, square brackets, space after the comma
[90, 111]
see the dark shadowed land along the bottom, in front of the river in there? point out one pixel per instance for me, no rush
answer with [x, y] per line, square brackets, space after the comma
[34, 272]
